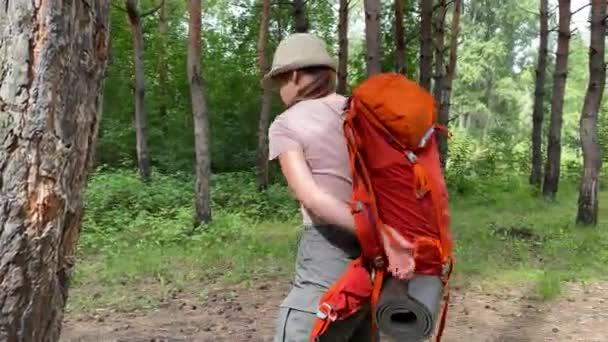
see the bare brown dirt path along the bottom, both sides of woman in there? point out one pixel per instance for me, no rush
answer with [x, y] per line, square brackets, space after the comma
[238, 314]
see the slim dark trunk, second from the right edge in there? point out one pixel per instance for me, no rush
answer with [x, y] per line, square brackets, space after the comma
[552, 168]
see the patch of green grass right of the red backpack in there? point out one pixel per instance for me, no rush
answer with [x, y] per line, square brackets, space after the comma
[517, 238]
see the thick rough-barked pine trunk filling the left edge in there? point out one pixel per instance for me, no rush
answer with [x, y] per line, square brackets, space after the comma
[51, 84]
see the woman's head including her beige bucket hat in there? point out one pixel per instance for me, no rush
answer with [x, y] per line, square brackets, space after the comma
[302, 69]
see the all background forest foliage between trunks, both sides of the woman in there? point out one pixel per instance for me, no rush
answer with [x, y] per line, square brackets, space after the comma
[493, 89]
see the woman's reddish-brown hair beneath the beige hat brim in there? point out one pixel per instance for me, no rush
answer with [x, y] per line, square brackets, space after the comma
[323, 83]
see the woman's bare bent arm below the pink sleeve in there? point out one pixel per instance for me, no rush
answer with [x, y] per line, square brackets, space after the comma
[320, 203]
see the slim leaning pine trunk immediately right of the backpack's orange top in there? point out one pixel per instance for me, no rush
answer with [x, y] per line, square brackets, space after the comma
[445, 105]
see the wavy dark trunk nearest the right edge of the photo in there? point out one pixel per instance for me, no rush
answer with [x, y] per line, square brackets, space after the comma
[592, 161]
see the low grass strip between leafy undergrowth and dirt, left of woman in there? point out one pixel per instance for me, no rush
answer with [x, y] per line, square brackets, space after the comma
[230, 250]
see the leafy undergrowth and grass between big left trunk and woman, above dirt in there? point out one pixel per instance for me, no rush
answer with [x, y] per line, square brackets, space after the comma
[137, 234]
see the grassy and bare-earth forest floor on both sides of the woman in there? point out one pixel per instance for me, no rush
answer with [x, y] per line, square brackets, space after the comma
[524, 272]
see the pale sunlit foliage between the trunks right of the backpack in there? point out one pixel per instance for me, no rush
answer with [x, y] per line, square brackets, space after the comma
[494, 87]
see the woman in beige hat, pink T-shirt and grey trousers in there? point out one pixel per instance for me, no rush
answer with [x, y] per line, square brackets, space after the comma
[308, 140]
